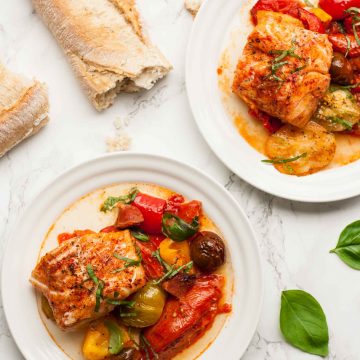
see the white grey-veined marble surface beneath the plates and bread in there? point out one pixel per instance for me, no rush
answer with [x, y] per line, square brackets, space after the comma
[294, 238]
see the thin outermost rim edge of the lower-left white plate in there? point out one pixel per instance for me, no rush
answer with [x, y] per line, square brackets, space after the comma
[5, 299]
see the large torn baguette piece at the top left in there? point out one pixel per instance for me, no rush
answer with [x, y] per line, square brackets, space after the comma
[106, 46]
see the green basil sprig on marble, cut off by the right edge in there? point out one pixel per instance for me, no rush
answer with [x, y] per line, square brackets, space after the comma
[348, 246]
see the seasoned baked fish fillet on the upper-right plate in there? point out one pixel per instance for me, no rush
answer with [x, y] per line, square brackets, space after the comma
[284, 69]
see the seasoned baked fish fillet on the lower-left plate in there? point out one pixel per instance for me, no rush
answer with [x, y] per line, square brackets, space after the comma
[82, 274]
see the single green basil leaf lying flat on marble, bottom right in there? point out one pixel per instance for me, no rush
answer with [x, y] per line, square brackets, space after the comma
[303, 322]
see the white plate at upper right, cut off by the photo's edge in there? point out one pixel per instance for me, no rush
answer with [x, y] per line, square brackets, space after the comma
[210, 36]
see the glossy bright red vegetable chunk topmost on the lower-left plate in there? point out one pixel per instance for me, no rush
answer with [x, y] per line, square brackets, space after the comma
[152, 209]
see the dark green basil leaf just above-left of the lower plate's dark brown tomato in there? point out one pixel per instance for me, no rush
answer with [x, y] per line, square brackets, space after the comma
[178, 229]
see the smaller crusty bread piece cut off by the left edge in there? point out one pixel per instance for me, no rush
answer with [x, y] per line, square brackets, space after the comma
[23, 108]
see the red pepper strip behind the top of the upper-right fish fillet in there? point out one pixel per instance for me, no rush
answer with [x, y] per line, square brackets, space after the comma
[293, 8]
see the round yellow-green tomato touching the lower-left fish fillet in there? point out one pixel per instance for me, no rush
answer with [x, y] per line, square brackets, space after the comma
[148, 307]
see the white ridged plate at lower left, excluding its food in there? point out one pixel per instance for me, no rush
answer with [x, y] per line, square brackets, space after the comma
[21, 255]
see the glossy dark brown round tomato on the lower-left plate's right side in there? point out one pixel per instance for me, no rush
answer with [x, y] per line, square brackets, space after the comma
[207, 251]
